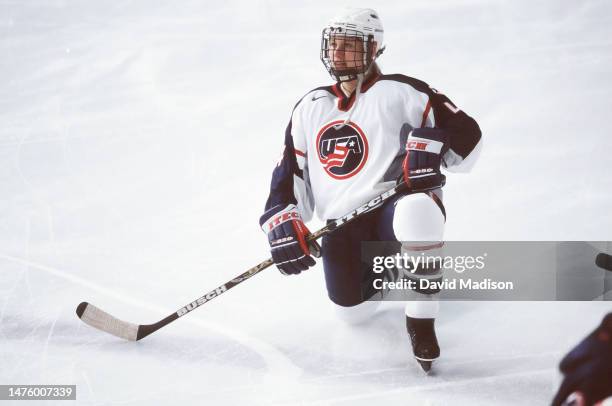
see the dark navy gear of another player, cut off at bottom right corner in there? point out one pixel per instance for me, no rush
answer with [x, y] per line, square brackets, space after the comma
[588, 369]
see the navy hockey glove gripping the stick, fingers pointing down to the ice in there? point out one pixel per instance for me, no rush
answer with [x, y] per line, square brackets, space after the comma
[287, 237]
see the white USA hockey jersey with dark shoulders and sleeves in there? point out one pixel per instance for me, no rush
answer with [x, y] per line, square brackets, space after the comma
[334, 168]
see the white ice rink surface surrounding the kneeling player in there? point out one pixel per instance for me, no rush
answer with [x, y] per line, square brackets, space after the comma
[136, 143]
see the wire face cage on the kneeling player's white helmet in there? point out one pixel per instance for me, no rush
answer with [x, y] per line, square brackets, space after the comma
[335, 39]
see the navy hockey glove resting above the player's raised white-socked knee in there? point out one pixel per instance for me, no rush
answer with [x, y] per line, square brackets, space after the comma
[424, 150]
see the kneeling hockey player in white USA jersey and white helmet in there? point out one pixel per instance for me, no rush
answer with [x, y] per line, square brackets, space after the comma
[351, 141]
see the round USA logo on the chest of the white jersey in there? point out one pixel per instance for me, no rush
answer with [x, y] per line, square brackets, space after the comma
[342, 151]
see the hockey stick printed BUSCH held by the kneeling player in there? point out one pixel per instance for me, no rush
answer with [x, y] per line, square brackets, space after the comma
[101, 320]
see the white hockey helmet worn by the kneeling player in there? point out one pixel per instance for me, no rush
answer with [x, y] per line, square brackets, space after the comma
[361, 23]
